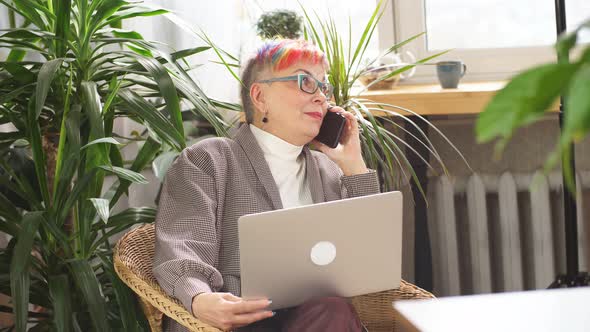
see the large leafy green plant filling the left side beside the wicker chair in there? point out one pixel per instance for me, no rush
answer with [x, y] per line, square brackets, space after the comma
[82, 71]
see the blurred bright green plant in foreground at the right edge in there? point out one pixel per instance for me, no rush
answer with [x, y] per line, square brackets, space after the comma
[525, 99]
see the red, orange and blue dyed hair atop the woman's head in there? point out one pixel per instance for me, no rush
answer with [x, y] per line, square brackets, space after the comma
[280, 54]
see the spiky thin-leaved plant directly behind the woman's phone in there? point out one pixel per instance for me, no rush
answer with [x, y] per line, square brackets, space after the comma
[381, 124]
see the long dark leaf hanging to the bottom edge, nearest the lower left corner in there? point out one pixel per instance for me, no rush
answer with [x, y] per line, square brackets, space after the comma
[20, 279]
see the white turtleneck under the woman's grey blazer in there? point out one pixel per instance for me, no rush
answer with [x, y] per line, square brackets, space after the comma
[287, 166]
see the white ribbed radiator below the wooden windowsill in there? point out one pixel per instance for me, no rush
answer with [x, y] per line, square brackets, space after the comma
[498, 233]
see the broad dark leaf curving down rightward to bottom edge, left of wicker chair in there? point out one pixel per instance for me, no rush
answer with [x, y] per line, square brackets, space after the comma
[90, 290]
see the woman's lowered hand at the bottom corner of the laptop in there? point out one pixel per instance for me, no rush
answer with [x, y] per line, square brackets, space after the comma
[227, 312]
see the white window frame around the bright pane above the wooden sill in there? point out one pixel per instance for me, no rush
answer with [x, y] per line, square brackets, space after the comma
[406, 18]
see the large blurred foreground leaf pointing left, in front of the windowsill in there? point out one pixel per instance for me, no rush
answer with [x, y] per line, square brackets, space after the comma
[524, 99]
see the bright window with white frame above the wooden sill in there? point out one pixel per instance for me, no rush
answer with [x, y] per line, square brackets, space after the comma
[495, 38]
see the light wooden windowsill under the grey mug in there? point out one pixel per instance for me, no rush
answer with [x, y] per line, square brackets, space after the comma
[431, 99]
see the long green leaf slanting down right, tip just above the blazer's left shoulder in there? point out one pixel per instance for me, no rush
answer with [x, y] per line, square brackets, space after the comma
[139, 106]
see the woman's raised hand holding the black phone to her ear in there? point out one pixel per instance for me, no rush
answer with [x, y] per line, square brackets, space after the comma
[347, 155]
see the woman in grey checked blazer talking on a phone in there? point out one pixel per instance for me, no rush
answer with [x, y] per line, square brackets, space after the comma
[266, 165]
